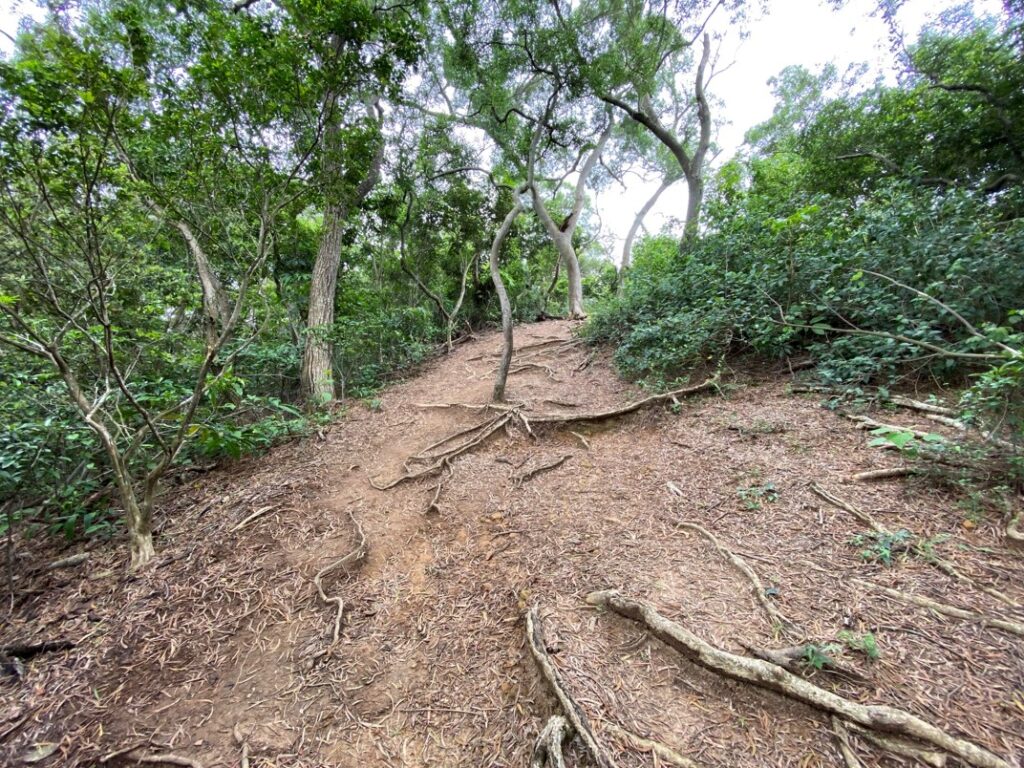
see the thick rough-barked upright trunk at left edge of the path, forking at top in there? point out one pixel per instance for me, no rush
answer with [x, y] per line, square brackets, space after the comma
[317, 378]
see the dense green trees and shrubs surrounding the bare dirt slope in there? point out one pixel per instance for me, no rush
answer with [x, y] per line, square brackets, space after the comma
[219, 219]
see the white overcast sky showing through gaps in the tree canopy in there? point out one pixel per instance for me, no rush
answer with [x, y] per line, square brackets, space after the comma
[793, 32]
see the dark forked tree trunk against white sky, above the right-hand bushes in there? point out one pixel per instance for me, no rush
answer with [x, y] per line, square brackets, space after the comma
[692, 162]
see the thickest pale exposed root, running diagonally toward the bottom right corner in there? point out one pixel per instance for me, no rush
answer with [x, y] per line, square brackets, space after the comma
[774, 677]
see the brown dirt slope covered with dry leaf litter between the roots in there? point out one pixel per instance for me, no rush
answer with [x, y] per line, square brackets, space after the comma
[222, 653]
